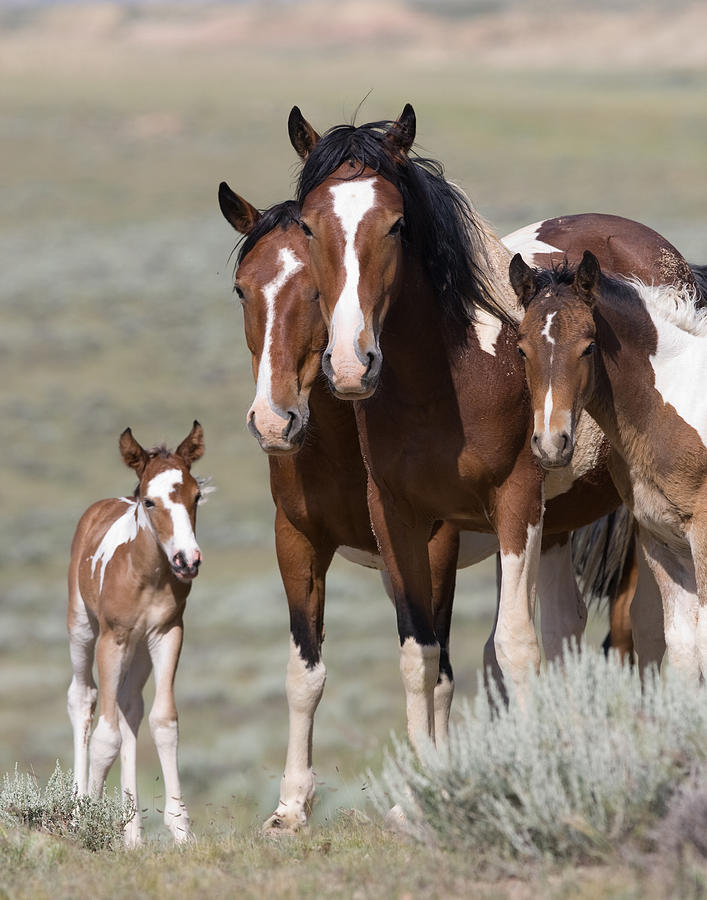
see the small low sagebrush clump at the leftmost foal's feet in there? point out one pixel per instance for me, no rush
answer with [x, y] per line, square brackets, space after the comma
[94, 824]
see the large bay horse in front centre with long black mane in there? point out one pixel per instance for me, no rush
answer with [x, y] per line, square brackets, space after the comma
[407, 274]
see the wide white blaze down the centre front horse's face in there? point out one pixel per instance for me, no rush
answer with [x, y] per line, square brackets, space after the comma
[352, 200]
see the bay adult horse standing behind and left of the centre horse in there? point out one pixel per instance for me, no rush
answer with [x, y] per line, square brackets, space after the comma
[318, 484]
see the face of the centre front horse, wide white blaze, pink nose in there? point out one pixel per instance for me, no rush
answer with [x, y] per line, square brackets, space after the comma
[353, 226]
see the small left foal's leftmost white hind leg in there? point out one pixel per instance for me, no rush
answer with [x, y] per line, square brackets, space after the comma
[82, 693]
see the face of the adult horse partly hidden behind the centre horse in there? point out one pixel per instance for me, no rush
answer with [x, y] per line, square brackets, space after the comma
[285, 334]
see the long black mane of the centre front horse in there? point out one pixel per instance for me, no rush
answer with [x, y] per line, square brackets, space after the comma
[440, 225]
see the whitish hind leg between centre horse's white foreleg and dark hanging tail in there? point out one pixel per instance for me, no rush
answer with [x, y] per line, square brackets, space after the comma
[563, 612]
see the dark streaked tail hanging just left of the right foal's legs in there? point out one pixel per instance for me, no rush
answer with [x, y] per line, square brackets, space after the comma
[599, 555]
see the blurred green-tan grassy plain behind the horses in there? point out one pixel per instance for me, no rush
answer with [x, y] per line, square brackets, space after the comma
[117, 310]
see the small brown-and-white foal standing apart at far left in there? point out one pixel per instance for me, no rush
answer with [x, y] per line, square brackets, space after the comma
[132, 563]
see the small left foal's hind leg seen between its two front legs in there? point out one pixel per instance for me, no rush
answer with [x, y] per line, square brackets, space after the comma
[130, 711]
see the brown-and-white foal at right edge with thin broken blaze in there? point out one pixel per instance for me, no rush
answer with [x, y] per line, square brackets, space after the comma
[635, 357]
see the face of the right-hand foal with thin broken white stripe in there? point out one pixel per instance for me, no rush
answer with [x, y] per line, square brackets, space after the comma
[557, 342]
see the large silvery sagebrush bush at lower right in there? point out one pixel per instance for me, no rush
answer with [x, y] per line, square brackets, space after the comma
[589, 757]
